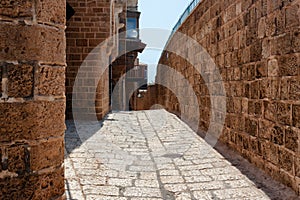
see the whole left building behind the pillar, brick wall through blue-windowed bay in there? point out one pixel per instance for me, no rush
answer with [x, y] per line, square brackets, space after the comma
[109, 29]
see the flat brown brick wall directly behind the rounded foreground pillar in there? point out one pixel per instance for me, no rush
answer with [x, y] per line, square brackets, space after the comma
[91, 25]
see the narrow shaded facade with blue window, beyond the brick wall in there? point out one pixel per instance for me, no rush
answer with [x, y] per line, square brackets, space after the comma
[130, 46]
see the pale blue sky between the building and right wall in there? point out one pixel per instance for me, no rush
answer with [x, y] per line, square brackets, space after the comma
[158, 14]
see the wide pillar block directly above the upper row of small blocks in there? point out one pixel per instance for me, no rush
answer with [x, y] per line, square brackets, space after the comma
[20, 43]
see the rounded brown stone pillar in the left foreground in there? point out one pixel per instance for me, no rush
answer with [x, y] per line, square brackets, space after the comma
[32, 104]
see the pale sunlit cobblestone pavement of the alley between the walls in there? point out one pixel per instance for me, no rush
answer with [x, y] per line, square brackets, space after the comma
[151, 155]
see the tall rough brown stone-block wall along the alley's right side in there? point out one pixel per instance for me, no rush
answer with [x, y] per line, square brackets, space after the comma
[255, 45]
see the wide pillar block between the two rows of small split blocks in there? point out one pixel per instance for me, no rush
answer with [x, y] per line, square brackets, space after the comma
[31, 120]
